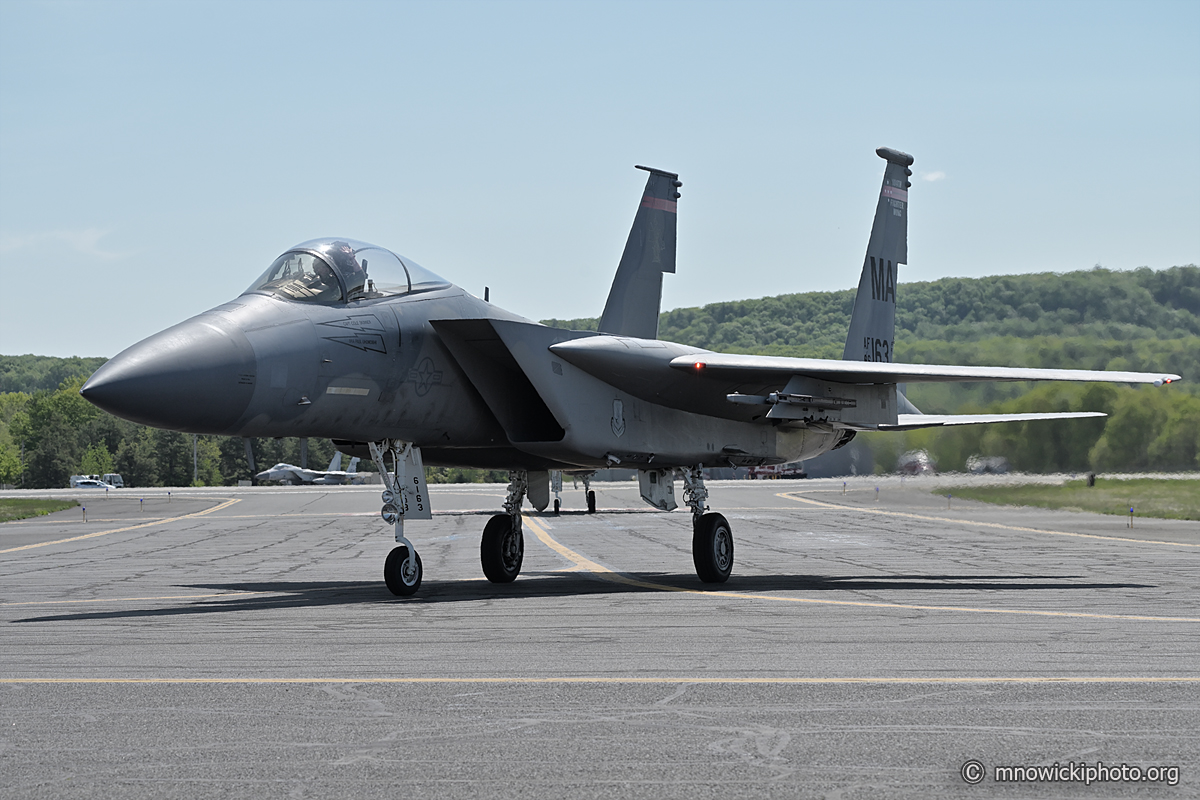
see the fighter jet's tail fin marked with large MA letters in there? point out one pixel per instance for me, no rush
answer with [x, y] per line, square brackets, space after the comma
[873, 326]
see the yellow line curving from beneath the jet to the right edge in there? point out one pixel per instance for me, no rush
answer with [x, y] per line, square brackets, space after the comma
[604, 573]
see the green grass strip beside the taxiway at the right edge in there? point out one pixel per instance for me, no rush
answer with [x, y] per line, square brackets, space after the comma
[1167, 500]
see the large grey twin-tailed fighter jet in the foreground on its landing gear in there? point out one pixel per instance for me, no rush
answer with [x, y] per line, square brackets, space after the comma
[350, 341]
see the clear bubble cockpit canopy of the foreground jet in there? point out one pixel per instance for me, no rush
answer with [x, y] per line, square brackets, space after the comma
[343, 270]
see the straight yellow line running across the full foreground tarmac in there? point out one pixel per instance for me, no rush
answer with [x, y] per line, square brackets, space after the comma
[622, 681]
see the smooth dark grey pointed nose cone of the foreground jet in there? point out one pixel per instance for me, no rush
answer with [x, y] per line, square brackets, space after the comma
[196, 377]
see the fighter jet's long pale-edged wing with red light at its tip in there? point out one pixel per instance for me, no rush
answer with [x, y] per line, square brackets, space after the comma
[766, 369]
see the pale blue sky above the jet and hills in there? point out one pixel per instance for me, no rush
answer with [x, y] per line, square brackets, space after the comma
[155, 158]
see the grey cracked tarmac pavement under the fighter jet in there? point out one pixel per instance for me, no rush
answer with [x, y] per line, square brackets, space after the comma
[241, 642]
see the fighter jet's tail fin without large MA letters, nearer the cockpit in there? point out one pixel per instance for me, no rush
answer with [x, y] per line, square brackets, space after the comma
[633, 308]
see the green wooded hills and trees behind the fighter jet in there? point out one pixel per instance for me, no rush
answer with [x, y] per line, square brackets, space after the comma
[1095, 320]
